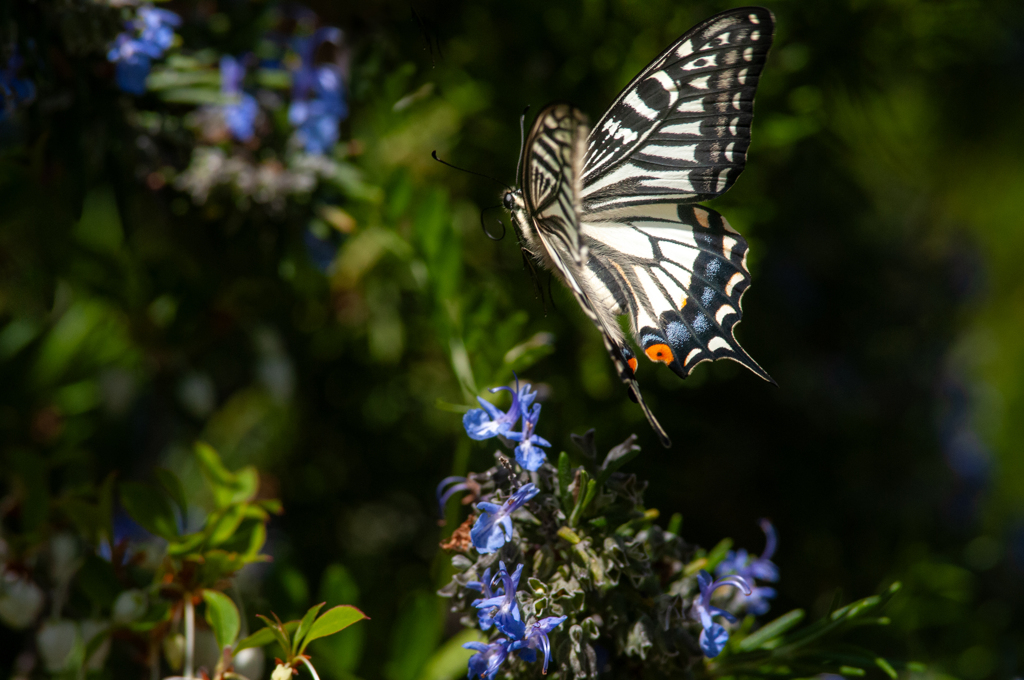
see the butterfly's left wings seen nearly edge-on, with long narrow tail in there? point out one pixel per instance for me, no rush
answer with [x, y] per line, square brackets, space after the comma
[552, 163]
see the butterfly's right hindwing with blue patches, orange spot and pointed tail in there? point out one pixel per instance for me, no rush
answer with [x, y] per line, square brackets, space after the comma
[679, 272]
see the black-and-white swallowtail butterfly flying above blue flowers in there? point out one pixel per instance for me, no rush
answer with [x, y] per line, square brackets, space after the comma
[615, 210]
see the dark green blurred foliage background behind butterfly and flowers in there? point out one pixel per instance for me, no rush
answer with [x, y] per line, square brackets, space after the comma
[332, 337]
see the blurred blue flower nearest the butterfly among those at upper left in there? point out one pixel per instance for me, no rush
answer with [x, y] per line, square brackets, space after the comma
[318, 95]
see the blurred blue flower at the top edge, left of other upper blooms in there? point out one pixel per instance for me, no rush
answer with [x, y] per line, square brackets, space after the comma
[146, 38]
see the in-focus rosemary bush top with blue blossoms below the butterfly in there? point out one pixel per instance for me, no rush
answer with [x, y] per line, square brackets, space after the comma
[590, 560]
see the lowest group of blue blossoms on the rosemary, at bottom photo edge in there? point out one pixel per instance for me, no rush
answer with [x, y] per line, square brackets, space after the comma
[500, 610]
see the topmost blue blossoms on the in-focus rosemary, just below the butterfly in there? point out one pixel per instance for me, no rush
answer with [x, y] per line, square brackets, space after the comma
[492, 421]
